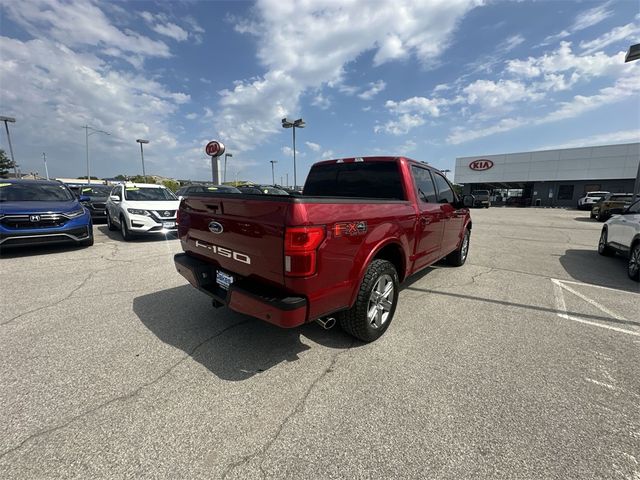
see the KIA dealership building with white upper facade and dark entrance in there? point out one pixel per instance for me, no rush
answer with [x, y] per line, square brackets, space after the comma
[551, 177]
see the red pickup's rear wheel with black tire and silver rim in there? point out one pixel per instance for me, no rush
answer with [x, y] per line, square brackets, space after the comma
[375, 305]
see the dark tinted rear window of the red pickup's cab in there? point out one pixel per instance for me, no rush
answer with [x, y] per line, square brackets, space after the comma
[358, 179]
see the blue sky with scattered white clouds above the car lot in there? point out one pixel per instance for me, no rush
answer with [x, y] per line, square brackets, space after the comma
[430, 80]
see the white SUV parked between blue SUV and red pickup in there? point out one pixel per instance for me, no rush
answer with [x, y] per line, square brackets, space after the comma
[141, 208]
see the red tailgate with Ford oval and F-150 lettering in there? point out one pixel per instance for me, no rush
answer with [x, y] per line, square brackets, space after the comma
[243, 235]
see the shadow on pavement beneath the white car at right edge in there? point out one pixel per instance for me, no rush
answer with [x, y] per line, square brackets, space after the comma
[588, 266]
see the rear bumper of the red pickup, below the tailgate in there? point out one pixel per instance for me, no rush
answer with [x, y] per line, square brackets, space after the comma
[244, 297]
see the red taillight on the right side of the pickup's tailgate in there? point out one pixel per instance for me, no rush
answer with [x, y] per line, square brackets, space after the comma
[300, 248]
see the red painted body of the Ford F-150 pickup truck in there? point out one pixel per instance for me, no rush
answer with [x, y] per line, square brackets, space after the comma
[415, 232]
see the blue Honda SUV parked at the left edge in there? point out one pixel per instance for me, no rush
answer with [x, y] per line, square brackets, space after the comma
[41, 211]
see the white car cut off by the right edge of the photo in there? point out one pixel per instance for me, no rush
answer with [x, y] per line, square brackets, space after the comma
[621, 233]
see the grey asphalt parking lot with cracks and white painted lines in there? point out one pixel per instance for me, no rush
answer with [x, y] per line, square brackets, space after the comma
[524, 363]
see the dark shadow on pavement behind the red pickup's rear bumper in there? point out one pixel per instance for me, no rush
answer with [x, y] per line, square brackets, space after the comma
[232, 346]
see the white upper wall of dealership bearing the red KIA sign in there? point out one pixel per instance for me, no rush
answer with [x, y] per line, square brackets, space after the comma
[568, 164]
